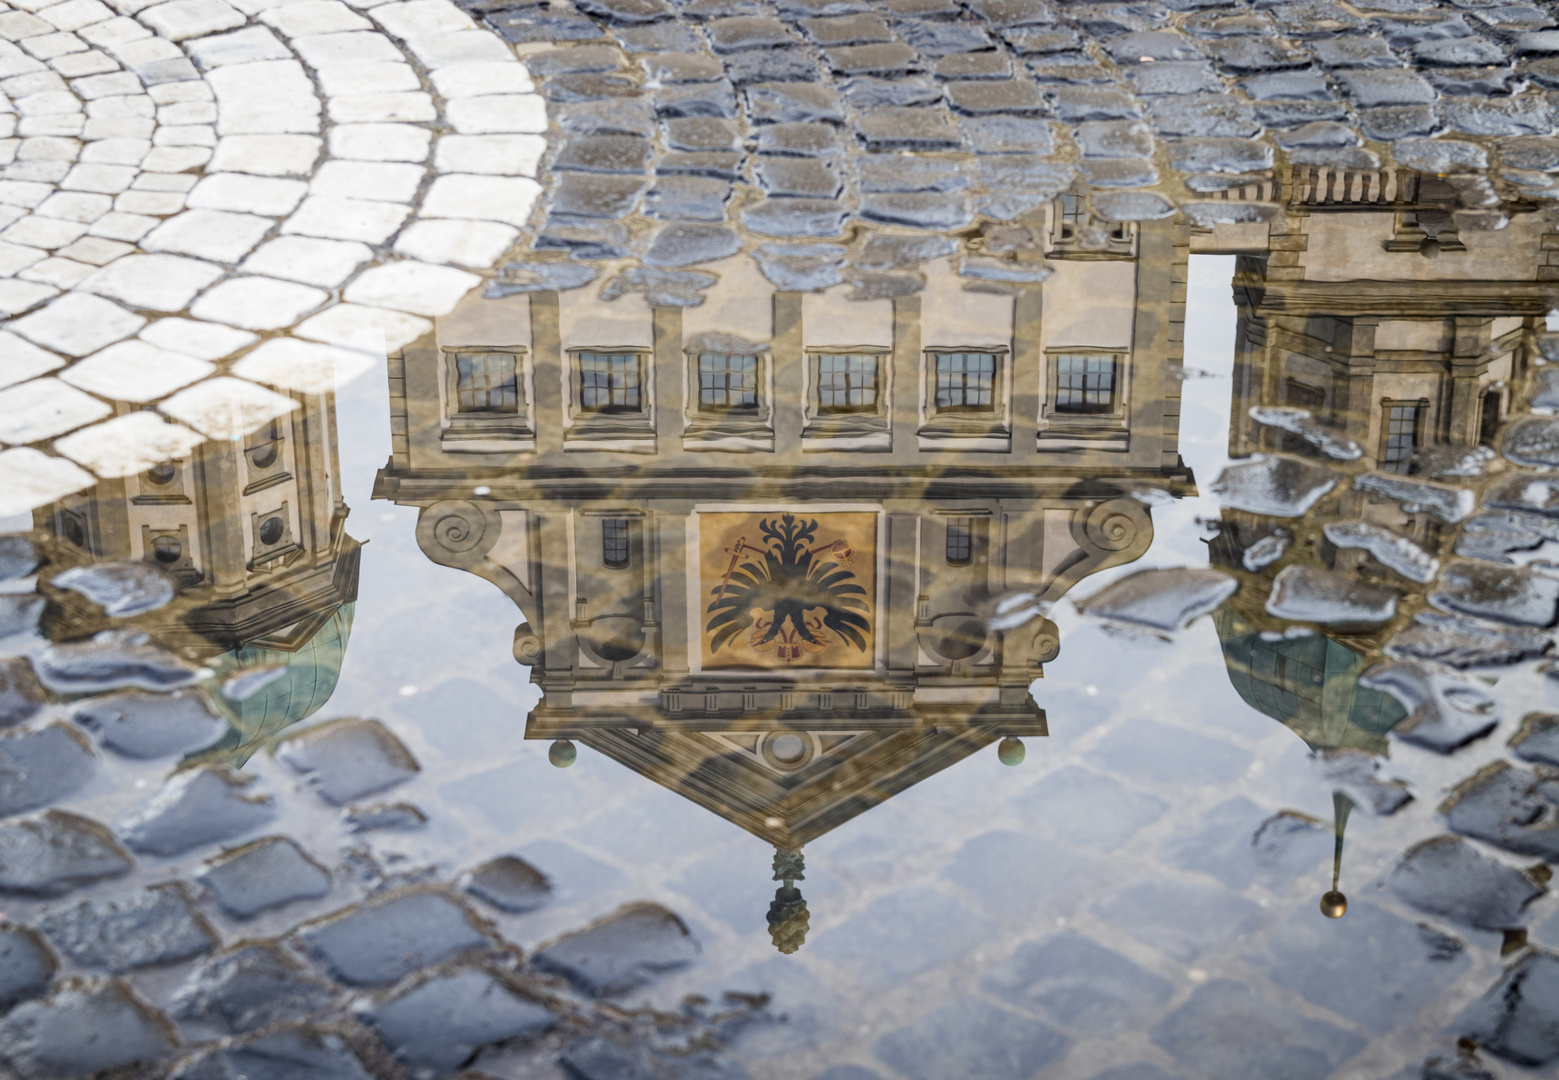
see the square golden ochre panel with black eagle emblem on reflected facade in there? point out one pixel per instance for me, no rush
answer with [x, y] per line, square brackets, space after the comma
[788, 590]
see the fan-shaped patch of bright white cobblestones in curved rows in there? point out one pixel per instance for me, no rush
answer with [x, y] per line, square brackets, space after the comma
[193, 182]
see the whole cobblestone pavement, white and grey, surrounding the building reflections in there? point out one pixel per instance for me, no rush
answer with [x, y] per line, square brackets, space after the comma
[208, 206]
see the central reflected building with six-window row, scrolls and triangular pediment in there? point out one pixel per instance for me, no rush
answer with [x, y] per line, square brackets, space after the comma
[760, 542]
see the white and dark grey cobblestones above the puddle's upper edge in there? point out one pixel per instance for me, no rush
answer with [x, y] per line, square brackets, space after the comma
[183, 180]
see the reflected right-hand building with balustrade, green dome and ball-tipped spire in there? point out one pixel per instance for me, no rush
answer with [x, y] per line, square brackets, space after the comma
[1401, 320]
